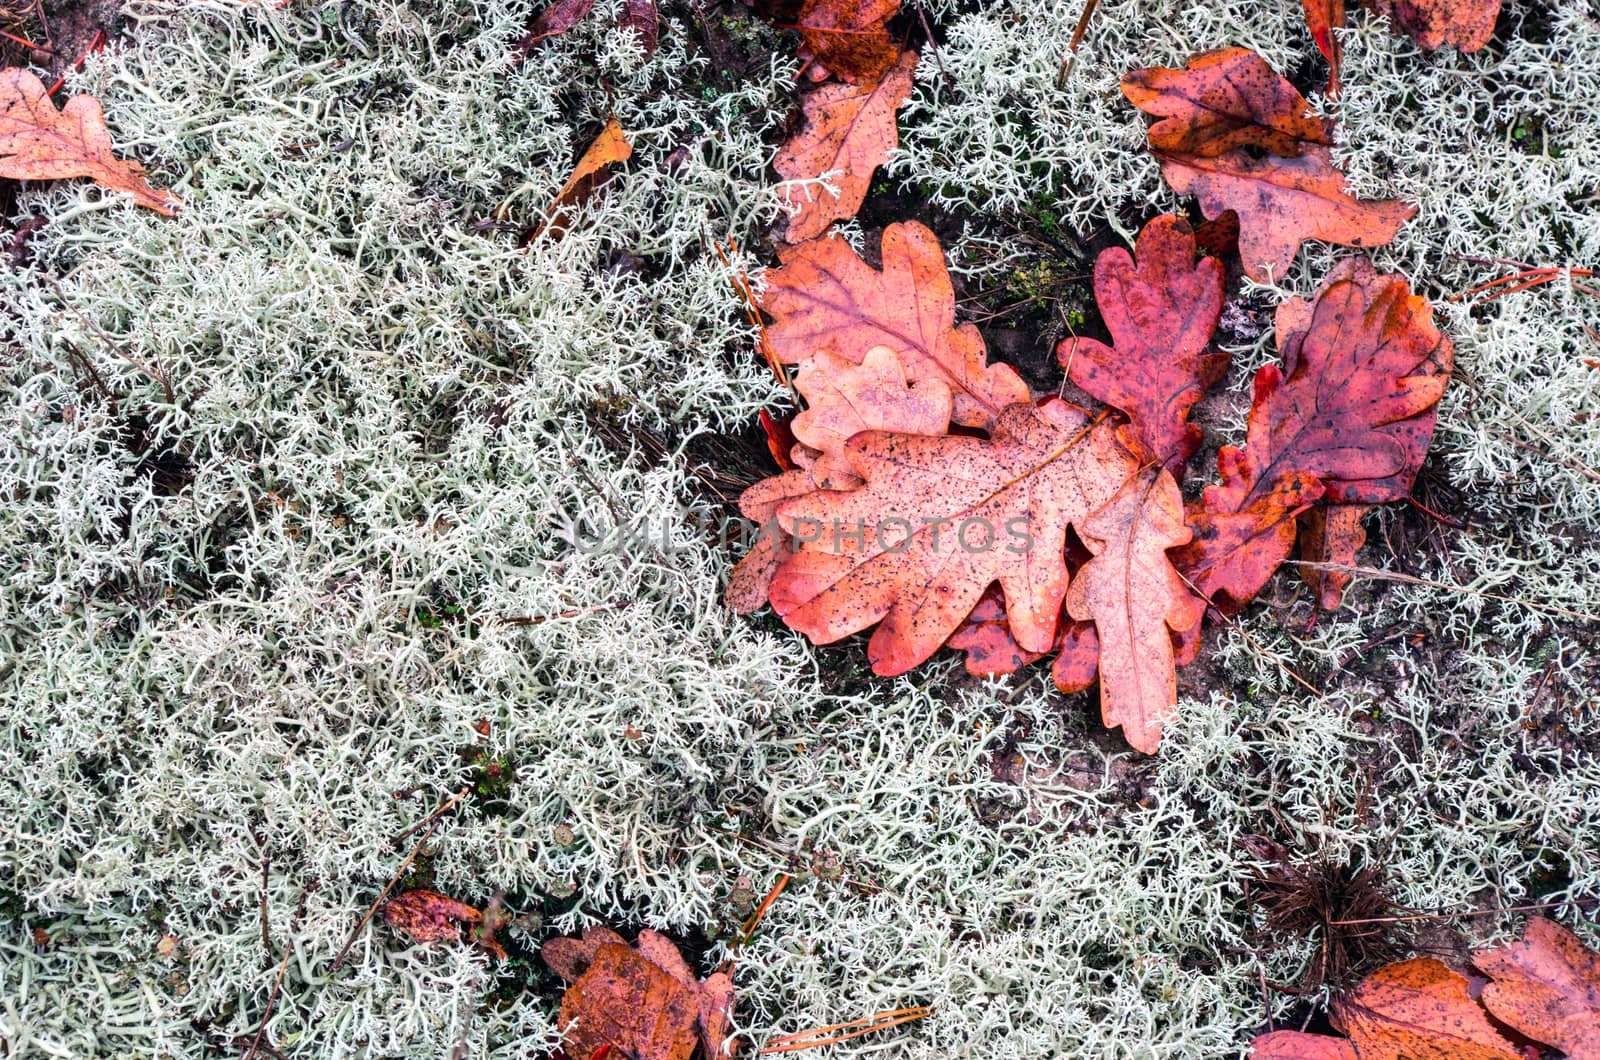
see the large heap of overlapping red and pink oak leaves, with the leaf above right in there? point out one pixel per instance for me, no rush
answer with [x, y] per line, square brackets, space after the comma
[932, 496]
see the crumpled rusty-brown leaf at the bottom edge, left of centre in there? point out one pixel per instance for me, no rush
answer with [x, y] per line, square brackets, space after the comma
[642, 1000]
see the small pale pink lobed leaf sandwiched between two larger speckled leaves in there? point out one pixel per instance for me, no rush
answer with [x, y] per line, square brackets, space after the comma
[847, 400]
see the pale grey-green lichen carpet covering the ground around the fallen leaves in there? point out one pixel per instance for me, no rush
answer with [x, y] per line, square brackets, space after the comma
[290, 556]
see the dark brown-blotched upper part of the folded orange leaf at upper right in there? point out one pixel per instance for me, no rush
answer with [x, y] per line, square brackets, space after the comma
[1222, 102]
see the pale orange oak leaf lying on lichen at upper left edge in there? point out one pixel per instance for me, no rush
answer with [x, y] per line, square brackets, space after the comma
[39, 143]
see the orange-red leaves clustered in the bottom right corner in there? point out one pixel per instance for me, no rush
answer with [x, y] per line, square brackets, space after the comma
[1543, 989]
